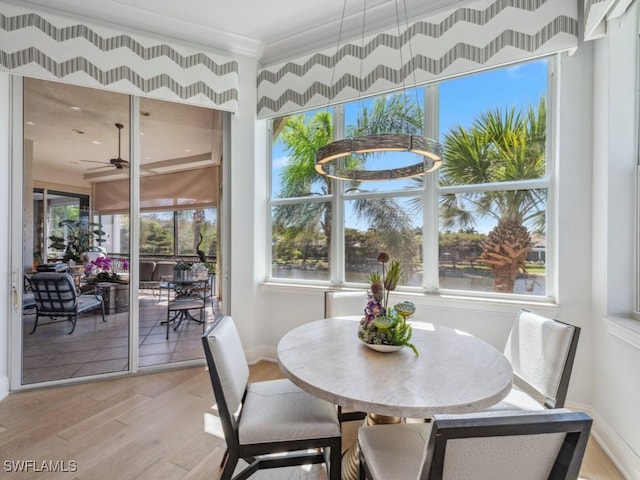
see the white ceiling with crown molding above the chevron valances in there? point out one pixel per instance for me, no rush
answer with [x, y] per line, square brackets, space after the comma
[270, 30]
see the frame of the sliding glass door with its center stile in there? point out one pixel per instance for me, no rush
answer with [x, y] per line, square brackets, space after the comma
[17, 227]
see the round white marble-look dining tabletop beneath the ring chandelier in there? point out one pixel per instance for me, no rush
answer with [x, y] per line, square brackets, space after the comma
[454, 372]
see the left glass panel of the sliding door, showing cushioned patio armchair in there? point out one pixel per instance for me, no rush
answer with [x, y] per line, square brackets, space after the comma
[70, 137]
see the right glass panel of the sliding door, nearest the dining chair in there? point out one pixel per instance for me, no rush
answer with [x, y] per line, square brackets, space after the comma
[180, 151]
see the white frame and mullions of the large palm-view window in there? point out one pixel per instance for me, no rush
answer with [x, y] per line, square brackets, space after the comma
[430, 192]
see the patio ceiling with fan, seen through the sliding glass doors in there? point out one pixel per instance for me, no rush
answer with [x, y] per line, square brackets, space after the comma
[74, 137]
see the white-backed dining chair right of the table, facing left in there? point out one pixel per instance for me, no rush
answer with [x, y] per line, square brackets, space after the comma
[541, 351]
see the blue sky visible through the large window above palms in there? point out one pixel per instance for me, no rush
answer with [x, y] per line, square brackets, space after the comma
[462, 100]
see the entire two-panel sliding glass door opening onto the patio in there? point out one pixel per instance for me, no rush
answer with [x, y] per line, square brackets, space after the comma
[78, 218]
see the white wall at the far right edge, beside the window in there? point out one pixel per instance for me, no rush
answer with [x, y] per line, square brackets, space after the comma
[616, 349]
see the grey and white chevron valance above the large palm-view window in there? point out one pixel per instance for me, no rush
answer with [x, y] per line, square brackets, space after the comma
[484, 34]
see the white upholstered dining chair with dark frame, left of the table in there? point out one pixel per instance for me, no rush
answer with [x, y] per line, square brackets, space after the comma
[264, 418]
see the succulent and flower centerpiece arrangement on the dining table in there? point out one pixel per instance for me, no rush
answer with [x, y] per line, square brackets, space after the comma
[381, 324]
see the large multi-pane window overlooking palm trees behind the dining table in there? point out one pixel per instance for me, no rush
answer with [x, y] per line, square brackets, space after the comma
[489, 199]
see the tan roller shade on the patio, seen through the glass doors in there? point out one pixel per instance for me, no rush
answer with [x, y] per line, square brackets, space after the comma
[169, 191]
